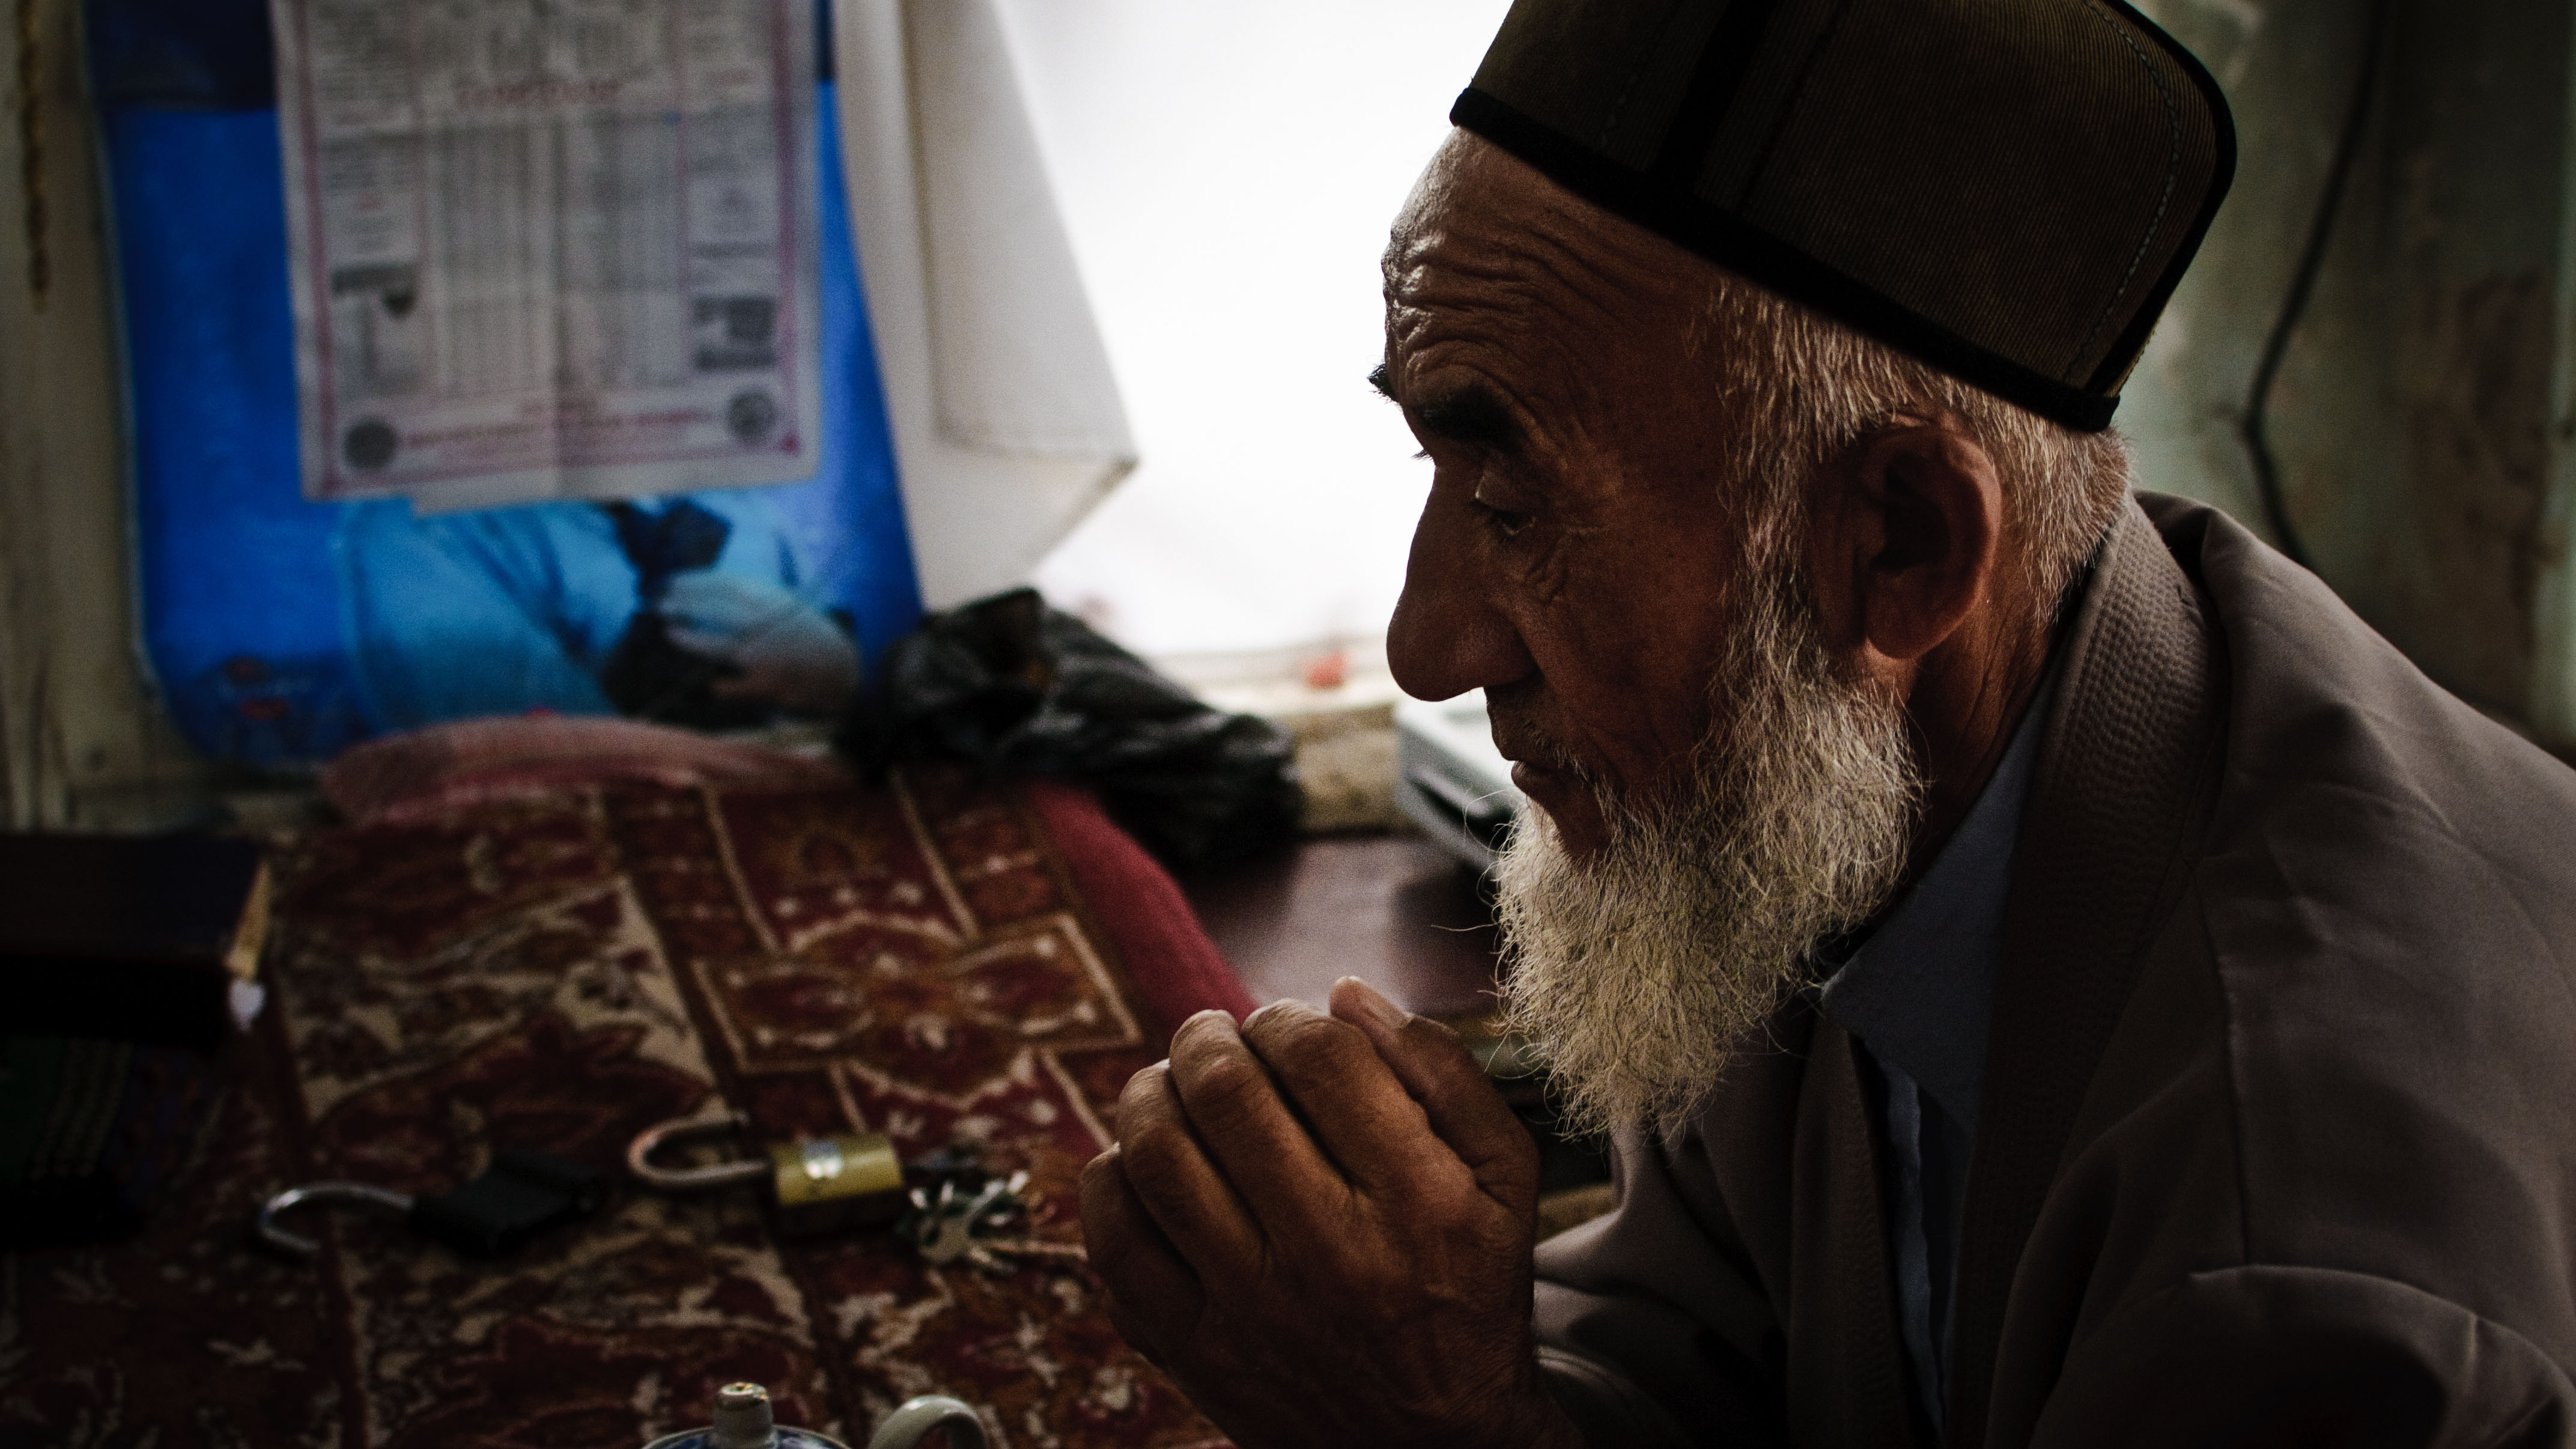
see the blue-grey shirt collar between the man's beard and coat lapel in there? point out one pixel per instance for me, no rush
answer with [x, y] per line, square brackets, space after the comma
[1920, 989]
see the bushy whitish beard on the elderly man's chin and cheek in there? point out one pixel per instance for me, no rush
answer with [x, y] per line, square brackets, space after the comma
[1637, 973]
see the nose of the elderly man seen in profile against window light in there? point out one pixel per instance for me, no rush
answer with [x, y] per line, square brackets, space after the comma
[1449, 636]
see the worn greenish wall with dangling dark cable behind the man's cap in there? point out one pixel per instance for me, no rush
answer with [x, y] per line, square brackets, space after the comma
[2412, 416]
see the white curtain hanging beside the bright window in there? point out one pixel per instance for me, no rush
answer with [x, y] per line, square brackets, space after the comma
[1006, 416]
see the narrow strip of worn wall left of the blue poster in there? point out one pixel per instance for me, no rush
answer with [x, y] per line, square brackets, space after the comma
[81, 744]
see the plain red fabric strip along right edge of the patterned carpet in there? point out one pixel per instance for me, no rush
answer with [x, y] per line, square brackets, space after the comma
[1171, 958]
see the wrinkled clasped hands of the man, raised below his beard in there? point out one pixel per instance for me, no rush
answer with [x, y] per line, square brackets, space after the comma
[1320, 1226]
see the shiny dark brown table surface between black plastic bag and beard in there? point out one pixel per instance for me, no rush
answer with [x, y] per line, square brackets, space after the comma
[1387, 909]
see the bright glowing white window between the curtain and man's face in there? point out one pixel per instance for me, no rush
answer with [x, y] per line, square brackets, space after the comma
[1227, 174]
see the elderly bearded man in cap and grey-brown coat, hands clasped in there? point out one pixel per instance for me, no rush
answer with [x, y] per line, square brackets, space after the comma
[2052, 973]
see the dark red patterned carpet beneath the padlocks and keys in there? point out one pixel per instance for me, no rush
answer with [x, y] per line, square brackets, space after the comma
[931, 960]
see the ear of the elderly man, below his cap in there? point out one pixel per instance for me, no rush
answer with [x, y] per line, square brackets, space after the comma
[1908, 543]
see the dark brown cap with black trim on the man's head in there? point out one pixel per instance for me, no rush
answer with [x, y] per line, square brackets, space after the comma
[2005, 190]
